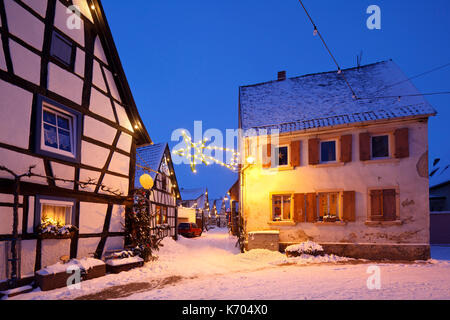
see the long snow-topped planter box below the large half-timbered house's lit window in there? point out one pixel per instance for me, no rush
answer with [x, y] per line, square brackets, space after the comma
[56, 276]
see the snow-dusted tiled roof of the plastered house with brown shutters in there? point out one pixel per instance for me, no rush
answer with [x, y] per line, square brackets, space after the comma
[324, 99]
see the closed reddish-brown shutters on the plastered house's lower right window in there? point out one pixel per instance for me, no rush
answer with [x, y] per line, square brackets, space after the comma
[383, 205]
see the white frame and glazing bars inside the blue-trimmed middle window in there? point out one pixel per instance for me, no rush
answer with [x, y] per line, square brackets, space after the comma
[72, 124]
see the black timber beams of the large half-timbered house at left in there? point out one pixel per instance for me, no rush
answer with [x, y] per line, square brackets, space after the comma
[30, 191]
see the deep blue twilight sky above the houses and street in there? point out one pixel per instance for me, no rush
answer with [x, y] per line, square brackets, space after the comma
[185, 60]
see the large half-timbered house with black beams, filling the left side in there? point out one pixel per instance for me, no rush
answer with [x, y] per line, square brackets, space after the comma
[68, 111]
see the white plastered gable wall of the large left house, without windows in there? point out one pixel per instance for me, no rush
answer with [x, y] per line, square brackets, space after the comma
[107, 134]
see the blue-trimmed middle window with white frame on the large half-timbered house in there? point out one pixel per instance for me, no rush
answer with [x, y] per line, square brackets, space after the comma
[58, 131]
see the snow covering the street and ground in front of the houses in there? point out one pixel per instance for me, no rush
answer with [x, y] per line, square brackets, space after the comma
[211, 267]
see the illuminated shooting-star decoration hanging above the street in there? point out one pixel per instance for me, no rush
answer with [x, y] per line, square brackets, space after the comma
[194, 152]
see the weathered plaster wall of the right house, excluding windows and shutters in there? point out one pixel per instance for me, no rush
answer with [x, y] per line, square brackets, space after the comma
[404, 174]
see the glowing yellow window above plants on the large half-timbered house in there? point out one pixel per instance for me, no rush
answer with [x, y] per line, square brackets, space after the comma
[57, 213]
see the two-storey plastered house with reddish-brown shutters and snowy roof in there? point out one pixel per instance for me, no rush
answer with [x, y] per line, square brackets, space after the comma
[350, 174]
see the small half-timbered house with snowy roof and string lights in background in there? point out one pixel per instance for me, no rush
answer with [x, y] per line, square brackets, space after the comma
[165, 191]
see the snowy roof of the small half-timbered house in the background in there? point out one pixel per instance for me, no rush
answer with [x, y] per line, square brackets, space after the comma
[149, 156]
